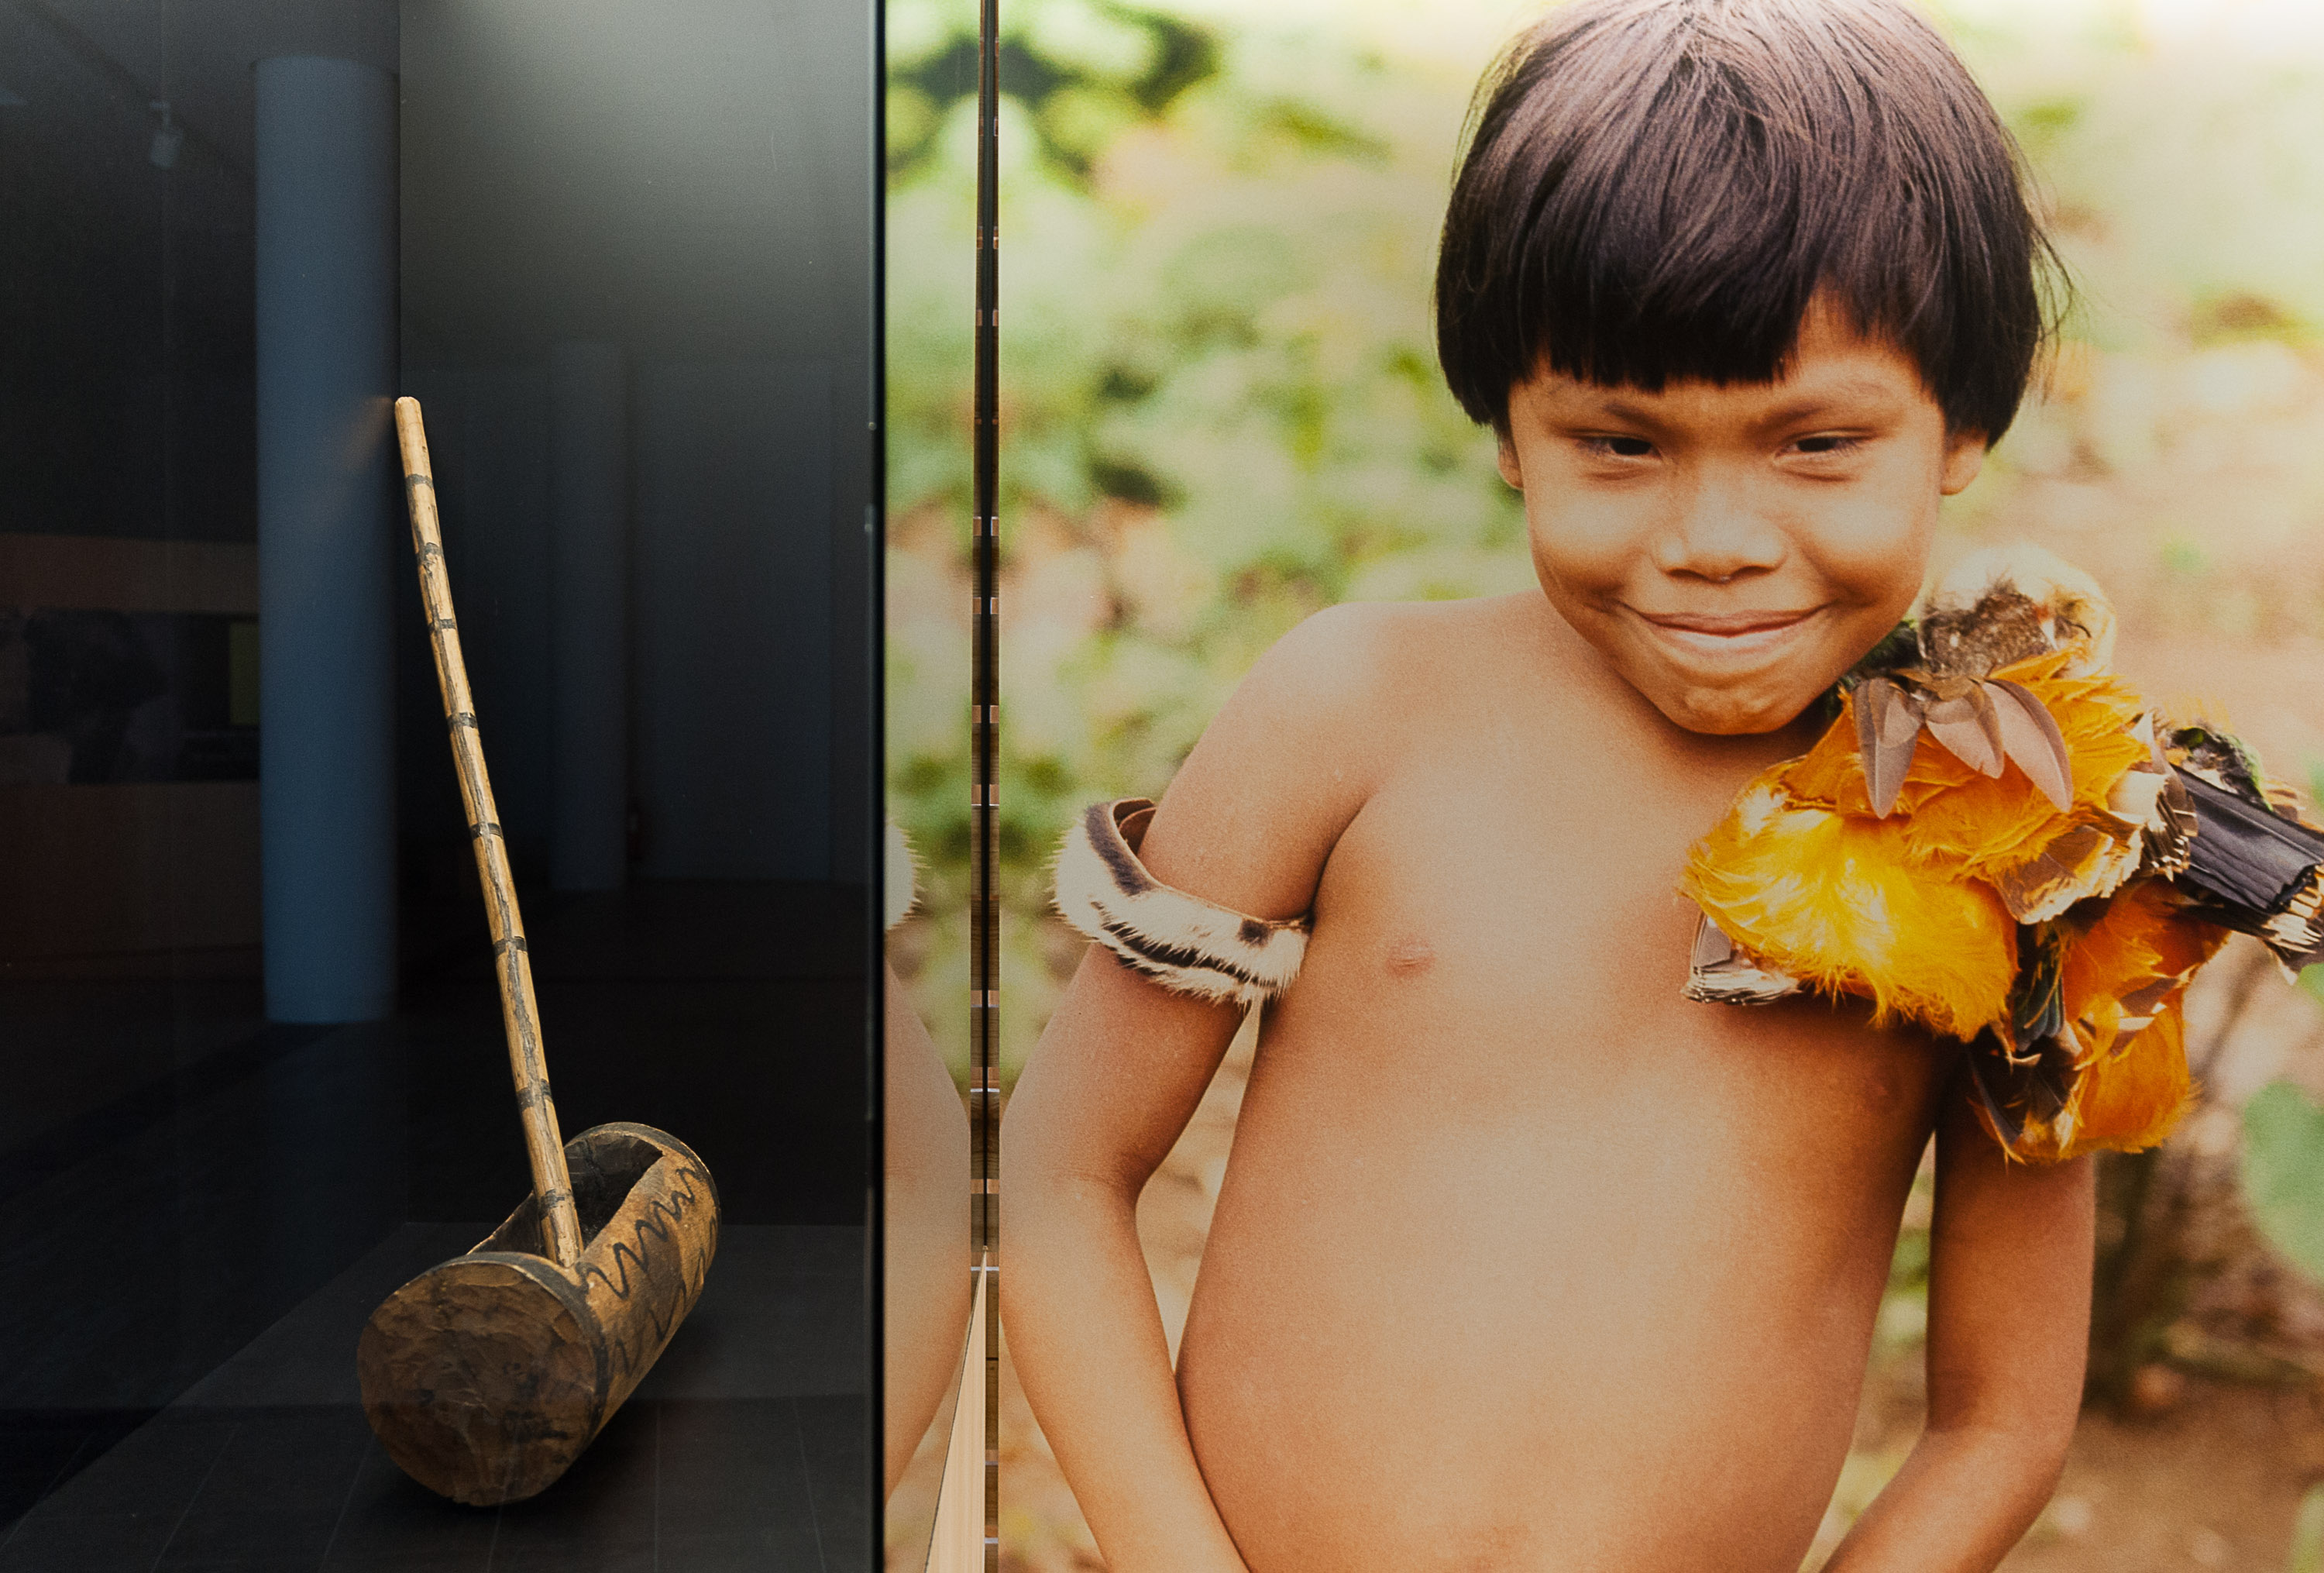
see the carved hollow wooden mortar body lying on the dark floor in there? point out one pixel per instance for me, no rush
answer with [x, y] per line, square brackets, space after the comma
[489, 1374]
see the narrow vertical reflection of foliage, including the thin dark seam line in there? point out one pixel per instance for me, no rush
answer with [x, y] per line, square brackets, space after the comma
[940, 670]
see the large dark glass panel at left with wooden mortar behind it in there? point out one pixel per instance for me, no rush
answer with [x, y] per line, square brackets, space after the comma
[257, 1012]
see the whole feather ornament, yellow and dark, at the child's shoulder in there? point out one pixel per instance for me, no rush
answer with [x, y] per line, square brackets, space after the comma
[2000, 842]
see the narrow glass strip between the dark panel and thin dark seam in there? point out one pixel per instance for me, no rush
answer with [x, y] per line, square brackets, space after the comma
[935, 1451]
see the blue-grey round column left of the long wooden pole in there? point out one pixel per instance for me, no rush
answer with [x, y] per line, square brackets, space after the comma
[329, 536]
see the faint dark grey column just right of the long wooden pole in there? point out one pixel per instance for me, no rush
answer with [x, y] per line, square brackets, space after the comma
[589, 615]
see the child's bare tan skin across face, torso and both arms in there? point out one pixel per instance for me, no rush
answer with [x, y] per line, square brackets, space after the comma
[1521, 1260]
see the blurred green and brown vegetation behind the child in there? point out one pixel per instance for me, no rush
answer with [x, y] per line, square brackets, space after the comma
[1221, 412]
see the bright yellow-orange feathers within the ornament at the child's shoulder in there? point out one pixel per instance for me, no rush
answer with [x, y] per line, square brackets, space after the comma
[1902, 910]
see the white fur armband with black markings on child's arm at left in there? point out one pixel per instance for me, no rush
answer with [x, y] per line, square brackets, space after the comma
[1182, 942]
